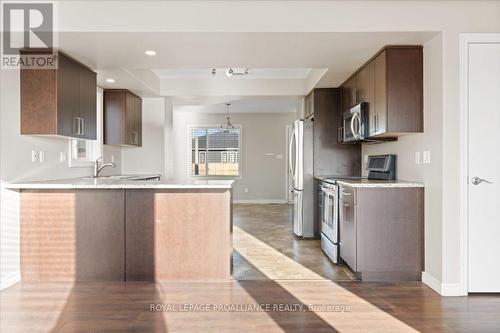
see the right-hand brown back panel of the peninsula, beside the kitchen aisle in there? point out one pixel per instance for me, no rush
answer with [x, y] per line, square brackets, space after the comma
[178, 235]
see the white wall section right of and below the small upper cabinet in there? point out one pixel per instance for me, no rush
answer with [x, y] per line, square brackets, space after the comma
[147, 159]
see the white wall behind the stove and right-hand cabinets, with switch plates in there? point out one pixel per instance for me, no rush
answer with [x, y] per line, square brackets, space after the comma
[429, 174]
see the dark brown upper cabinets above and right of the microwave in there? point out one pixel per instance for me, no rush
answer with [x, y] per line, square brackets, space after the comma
[392, 85]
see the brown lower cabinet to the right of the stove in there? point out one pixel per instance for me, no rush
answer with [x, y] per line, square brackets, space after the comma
[382, 232]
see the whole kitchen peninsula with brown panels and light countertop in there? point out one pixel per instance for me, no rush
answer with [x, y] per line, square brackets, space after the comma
[119, 229]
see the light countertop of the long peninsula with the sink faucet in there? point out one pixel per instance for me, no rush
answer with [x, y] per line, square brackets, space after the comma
[123, 182]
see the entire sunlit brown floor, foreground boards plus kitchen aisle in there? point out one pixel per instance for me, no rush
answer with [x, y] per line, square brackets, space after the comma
[310, 303]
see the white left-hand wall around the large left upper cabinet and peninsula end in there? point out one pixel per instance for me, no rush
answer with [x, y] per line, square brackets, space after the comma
[16, 165]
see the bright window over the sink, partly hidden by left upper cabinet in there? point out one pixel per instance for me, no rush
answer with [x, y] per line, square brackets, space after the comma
[83, 153]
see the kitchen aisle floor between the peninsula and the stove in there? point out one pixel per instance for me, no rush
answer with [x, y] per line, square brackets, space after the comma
[265, 248]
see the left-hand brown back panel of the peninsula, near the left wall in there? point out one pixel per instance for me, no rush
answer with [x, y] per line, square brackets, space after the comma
[72, 235]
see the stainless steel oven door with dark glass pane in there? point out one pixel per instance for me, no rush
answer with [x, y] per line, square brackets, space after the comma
[329, 218]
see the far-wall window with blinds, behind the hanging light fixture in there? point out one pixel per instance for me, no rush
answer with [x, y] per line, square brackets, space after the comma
[214, 151]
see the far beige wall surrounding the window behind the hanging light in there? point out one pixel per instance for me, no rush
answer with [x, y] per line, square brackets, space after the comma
[264, 176]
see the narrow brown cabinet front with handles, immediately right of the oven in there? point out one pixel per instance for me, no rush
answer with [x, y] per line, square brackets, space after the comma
[347, 227]
